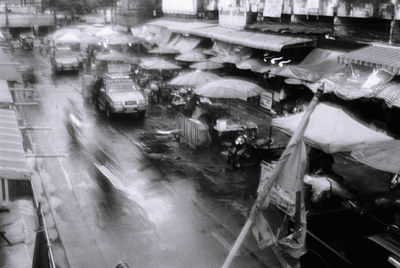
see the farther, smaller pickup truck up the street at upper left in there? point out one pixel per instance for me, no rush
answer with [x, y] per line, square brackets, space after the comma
[64, 59]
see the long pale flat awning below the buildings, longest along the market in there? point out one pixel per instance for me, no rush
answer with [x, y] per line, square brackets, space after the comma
[271, 42]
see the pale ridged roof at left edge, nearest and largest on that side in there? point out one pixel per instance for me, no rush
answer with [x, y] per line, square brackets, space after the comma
[12, 157]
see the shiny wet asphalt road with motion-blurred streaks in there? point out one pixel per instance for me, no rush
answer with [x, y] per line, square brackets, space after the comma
[148, 218]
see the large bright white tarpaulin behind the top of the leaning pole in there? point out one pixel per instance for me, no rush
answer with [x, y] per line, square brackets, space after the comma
[331, 129]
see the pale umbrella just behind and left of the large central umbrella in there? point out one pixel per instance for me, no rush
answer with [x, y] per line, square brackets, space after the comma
[194, 78]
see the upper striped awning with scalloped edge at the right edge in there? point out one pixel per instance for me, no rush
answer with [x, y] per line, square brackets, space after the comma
[383, 57]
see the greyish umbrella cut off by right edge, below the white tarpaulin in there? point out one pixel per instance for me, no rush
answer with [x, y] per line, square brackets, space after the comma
[383, 156]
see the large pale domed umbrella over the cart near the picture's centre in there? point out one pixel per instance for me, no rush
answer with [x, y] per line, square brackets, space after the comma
[229, 89]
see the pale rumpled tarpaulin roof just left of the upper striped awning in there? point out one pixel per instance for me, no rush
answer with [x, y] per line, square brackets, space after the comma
[319, 63]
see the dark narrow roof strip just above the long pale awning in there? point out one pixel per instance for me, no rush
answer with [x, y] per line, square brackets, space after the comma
[291, 28]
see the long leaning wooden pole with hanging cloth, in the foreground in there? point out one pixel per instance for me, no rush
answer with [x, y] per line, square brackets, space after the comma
[261, 197]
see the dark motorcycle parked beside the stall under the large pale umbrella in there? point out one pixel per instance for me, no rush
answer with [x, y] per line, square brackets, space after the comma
[247, 150]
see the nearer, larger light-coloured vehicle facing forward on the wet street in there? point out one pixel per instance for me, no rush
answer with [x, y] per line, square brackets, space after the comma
[118, 94]
